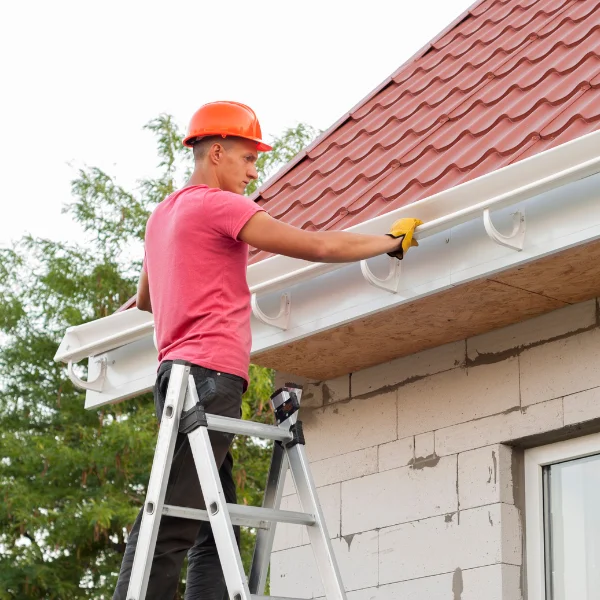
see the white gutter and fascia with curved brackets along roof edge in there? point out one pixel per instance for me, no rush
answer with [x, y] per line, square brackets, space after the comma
[549, 201]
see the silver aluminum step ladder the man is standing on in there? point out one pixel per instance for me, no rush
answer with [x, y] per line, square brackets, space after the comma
[184, 412]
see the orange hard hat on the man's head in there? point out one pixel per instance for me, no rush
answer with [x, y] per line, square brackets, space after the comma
[226, 118]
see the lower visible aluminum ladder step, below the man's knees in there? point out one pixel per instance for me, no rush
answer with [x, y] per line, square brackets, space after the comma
[247, 516]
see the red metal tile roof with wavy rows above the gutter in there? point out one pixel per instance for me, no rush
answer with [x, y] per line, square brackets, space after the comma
[511, 78]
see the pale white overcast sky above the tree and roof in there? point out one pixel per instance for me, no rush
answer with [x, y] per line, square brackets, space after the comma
[80, 79]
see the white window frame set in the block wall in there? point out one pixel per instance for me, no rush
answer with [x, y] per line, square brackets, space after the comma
[535, 460]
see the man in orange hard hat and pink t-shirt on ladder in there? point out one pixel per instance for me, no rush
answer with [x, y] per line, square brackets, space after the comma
[194, 282]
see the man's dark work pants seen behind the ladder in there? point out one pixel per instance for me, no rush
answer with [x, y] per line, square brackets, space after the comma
[177, 536]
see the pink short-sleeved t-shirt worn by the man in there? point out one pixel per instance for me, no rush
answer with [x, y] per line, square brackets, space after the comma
[197, 274]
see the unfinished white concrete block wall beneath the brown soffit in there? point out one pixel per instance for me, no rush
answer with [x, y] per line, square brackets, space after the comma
[418, 461]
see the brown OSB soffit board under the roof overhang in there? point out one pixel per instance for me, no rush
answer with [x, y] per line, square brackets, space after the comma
[471, 309]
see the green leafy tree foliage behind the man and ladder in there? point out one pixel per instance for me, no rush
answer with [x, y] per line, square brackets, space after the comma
[72, 481]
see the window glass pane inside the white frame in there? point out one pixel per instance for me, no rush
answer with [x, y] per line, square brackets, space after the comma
[572, 524]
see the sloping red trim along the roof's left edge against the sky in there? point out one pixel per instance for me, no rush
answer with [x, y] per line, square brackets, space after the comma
[337, 124]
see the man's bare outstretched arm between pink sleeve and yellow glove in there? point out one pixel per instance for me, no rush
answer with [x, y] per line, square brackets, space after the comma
[268, 234]
